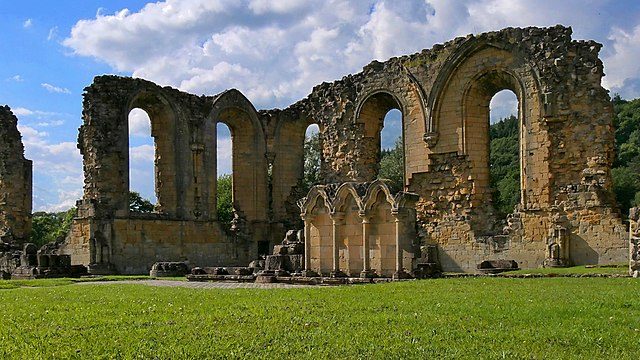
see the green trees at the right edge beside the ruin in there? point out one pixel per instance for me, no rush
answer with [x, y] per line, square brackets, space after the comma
[626, 171]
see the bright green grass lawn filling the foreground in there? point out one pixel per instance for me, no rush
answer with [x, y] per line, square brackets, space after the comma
[495, 318]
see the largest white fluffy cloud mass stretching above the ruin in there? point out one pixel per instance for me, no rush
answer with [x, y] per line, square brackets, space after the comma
[275, 52]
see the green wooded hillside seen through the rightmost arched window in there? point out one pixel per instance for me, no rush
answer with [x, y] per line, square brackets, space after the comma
[504, 169]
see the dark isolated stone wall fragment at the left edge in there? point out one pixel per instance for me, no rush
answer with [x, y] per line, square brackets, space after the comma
[15, 182]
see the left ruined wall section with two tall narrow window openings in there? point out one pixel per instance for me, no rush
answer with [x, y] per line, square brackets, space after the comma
[107, 237]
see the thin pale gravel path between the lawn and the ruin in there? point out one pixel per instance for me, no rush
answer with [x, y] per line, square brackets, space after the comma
[198, 284]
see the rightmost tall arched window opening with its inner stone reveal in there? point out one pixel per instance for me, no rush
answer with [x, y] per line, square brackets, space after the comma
[493, 143]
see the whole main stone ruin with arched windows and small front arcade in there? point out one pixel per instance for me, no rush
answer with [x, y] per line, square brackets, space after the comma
[567, 213]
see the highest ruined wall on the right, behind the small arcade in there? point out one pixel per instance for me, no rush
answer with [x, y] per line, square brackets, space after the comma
[443, 93]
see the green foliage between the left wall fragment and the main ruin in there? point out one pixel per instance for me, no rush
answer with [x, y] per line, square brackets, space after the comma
[49, 227]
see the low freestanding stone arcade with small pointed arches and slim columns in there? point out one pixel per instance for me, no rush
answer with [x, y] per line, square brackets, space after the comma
[359, 229]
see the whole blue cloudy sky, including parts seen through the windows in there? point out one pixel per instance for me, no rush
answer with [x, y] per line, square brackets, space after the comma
[272, 51]
